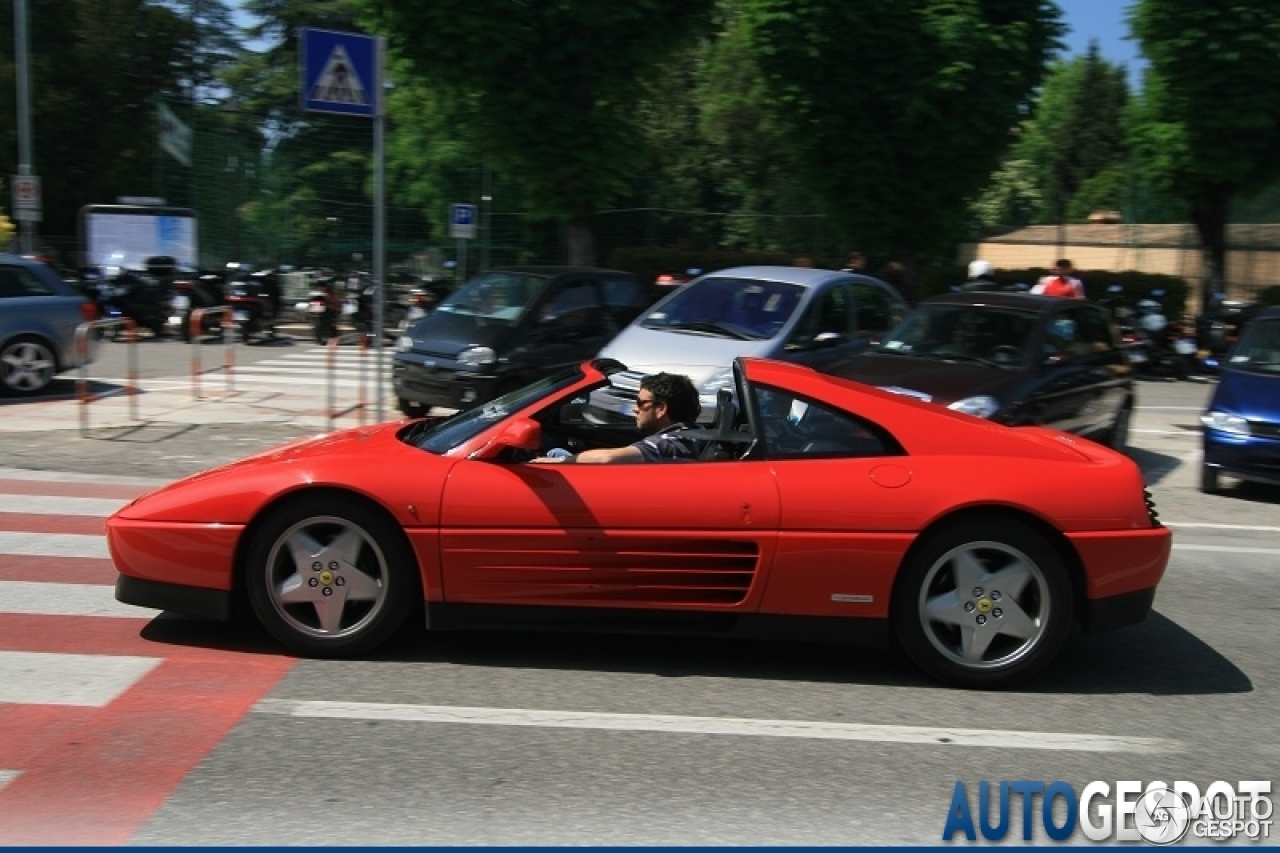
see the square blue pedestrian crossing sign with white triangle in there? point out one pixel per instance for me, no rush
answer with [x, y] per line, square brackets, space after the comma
[341, 72]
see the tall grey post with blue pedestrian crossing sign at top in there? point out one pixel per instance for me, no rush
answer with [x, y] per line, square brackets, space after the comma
[342, 74]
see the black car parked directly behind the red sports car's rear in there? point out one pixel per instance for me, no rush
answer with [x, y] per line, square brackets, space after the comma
[1012, 358]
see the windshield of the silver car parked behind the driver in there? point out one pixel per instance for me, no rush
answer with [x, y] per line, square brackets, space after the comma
[746, 309]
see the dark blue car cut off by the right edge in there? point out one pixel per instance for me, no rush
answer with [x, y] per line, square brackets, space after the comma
[1242, 425]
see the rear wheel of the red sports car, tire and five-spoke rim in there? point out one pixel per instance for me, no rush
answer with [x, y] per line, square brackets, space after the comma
[984, 605]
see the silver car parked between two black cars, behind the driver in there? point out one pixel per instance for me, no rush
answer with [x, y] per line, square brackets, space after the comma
[816, 317]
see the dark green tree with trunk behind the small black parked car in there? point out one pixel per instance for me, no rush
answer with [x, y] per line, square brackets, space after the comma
[547, 92]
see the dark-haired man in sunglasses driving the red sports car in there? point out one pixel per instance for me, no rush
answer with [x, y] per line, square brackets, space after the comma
[668, 407]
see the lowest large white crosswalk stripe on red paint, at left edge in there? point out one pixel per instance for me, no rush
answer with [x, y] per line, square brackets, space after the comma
[85, 681]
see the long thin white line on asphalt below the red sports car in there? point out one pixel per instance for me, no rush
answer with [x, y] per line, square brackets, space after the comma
[989, 738]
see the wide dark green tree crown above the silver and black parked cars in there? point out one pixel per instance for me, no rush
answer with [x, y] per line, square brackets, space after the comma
[902, 110]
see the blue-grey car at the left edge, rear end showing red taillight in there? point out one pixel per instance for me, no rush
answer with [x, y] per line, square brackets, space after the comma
[39, 317]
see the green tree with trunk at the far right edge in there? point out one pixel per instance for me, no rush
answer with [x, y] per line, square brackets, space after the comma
[1209, 124]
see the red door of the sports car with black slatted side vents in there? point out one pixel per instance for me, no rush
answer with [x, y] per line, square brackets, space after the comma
[682, 535]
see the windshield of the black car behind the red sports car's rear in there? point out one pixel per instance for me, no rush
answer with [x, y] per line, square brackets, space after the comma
[967, 332]
